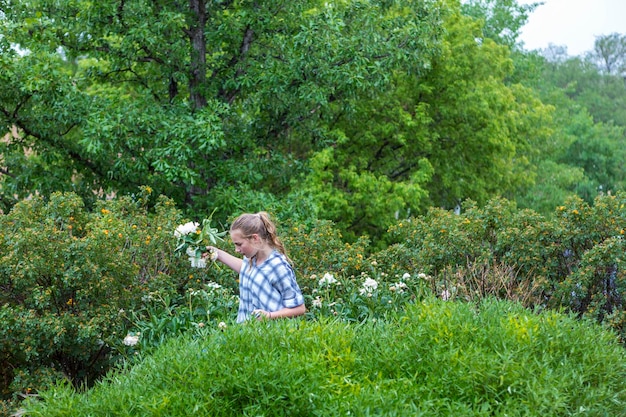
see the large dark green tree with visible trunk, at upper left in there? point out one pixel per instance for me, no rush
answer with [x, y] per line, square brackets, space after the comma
[191, 98]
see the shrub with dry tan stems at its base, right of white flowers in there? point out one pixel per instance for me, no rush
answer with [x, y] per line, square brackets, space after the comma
[472, 255]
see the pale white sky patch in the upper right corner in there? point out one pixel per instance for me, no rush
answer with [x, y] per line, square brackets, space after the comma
[572, 23]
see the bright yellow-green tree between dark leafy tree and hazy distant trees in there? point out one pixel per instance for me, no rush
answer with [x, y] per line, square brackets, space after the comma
[457, 132]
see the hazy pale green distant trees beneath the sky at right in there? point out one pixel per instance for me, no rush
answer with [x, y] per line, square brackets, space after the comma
[584, 154]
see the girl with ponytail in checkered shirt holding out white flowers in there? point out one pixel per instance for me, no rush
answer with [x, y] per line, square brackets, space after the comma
[267, 282]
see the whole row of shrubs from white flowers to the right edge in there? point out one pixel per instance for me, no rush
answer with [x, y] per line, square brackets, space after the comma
[573, 260]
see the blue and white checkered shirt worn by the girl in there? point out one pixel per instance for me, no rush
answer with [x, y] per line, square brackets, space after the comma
[270, 286]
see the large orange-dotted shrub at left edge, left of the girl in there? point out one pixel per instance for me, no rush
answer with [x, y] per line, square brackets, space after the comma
[69, 277]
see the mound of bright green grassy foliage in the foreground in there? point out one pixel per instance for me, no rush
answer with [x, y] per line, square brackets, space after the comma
[437, 359]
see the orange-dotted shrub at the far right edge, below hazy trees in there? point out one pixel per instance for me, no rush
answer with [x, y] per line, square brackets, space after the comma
[593, 240]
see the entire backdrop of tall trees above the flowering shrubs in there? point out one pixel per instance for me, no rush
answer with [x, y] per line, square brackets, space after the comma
[355, 112]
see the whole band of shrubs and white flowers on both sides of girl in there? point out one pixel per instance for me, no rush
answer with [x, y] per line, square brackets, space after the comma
[76, 282]
